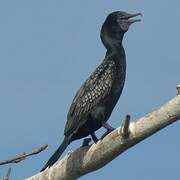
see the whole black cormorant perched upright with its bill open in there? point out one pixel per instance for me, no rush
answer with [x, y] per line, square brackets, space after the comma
[95, 100]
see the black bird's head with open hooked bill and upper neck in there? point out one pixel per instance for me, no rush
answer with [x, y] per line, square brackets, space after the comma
[115, 26]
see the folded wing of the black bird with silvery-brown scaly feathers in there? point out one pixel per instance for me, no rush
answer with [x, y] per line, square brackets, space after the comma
[91, 93]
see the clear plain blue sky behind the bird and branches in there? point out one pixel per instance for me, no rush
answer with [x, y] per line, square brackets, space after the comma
[48, 48]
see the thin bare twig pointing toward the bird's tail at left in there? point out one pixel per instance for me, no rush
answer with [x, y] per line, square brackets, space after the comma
[24, 155]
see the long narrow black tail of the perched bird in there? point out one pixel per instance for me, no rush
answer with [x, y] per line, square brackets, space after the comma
[57, 154]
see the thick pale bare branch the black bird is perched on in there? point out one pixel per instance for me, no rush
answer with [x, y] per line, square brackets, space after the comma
[95, 156]
